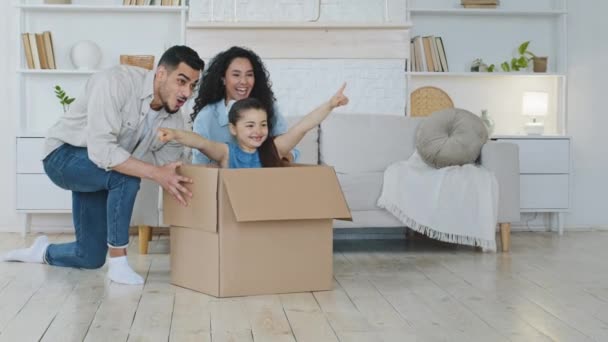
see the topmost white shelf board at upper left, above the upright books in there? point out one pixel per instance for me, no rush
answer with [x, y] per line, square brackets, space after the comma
[91, 8]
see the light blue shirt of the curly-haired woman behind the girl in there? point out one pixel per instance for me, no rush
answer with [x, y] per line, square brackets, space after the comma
[212, 123]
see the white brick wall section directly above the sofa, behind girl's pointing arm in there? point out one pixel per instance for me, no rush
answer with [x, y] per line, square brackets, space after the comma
[374, 86]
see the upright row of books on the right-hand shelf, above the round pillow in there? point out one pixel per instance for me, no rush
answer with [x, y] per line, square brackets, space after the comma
[428, 54]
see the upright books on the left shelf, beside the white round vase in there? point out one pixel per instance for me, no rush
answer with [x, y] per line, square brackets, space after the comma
[39, 52]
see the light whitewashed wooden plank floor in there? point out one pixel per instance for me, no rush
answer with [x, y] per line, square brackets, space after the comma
[547, 288]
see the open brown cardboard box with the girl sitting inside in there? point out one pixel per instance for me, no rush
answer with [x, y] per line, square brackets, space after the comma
[255, 231]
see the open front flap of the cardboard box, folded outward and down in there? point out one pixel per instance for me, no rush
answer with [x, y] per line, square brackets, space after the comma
[288, 193]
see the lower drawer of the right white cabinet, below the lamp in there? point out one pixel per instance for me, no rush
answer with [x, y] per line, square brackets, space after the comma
[544, 191]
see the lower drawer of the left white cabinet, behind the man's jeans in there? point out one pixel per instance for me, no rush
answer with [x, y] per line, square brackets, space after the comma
[37, 192]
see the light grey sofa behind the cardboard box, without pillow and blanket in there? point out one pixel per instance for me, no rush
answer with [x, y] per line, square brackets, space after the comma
[361, 146]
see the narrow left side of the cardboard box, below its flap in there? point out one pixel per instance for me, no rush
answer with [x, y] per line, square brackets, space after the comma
[195, 260]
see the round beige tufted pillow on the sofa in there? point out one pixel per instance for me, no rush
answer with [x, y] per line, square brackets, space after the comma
[451, 137]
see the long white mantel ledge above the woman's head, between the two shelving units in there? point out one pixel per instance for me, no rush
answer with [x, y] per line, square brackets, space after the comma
[295, 25]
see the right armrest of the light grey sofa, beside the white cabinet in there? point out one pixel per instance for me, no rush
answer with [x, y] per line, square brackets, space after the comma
[503, 160]
